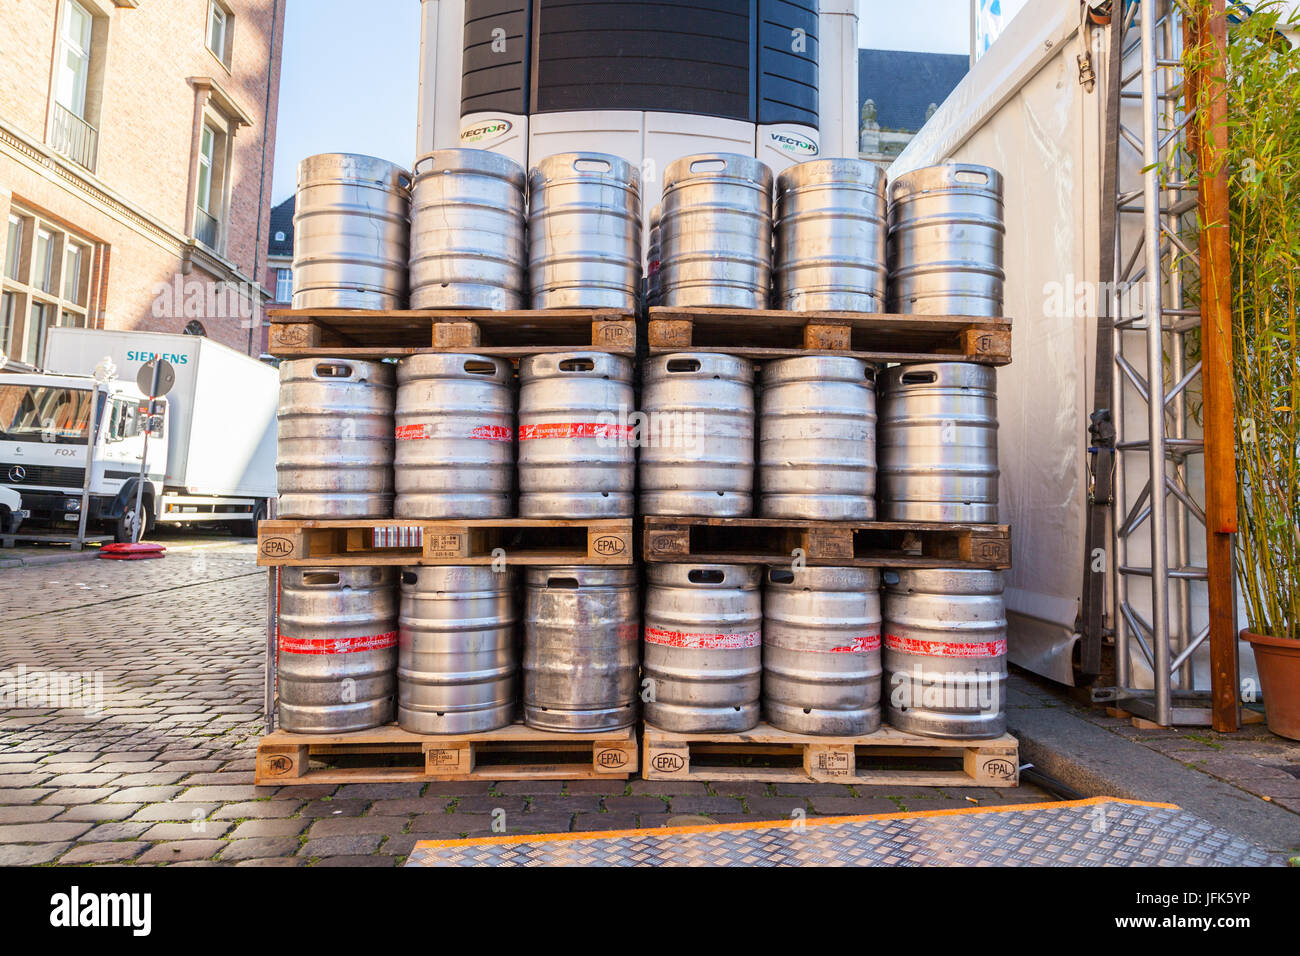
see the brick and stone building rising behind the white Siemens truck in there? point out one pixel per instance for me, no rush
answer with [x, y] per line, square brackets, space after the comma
[137, 141]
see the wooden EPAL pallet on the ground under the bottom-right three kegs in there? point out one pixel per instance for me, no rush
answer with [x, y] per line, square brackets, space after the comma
[803, 759]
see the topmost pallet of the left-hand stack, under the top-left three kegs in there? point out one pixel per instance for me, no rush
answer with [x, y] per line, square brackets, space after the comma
[376, 335]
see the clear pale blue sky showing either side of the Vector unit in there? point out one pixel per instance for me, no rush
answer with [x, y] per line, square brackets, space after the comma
[350, 84]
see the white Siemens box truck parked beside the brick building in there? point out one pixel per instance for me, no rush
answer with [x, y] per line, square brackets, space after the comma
[211, 457]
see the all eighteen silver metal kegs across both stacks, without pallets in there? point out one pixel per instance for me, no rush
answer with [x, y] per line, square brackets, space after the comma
[465, 650]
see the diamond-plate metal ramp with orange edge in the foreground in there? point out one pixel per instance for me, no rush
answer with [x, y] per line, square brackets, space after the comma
[1100, 832]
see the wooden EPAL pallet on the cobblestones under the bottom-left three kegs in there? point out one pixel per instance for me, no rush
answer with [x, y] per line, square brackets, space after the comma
[391, 755]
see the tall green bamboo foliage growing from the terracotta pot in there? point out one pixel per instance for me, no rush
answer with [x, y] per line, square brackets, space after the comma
[1264, 188]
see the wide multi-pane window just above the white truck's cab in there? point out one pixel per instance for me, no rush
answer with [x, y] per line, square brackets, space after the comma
[47, 283]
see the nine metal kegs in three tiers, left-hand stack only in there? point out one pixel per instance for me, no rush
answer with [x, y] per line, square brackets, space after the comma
[440, 436]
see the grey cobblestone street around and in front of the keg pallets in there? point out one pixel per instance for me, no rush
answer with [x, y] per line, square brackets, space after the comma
[164, 773]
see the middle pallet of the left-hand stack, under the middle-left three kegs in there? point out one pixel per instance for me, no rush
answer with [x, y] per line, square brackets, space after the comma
[296, 543]
